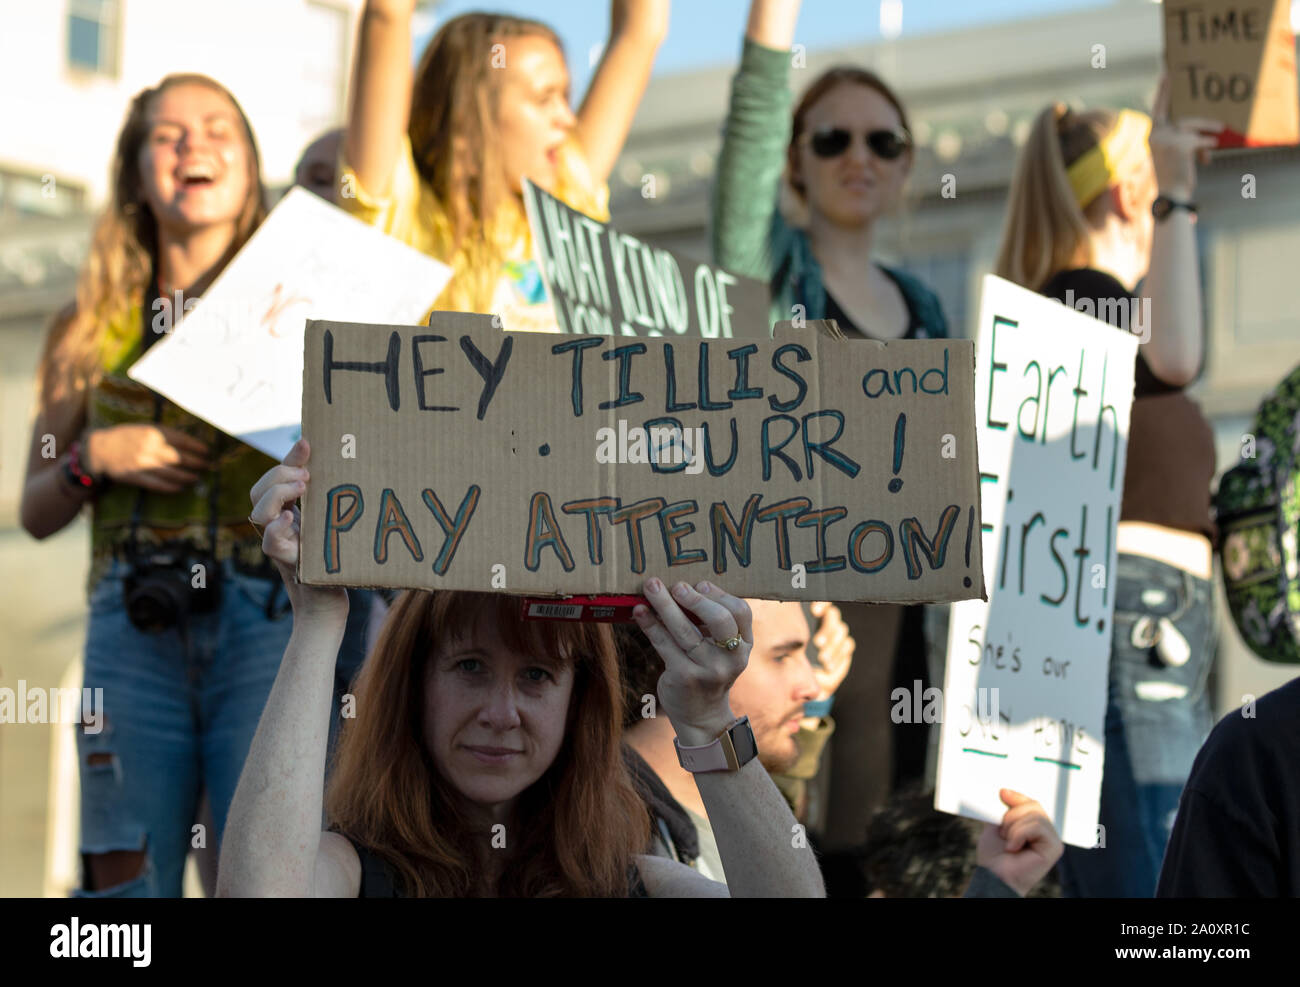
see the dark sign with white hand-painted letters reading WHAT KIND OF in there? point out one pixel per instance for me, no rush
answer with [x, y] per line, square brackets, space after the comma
[606, 283]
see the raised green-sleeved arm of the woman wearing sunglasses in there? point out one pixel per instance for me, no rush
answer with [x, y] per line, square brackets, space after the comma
[755, 138]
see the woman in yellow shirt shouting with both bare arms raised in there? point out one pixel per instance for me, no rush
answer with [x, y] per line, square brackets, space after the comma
[439, 161]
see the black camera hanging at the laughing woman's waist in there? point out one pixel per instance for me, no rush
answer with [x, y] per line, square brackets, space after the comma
[170, 583]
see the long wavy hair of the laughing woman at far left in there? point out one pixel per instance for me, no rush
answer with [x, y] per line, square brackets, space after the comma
[124, 250]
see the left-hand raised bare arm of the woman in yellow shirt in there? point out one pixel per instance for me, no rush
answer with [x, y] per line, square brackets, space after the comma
[380, 99]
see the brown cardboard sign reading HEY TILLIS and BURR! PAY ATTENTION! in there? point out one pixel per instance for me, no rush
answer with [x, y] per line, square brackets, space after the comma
[458, 456]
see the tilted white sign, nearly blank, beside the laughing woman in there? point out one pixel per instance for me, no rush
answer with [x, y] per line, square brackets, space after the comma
[235, 358]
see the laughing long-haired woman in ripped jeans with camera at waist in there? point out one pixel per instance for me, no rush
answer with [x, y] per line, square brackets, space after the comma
[187, 618]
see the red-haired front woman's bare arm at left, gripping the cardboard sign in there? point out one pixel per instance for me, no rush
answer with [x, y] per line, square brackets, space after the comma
[274, 845]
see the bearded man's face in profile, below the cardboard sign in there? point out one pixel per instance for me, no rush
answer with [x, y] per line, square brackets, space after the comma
[777, 682]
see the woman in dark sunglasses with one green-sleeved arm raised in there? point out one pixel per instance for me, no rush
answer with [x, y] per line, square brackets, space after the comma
[846, 154]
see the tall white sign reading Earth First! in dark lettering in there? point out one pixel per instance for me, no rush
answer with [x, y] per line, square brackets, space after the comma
[1026, 683]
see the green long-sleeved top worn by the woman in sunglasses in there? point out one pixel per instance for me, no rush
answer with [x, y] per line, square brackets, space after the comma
[749, 235]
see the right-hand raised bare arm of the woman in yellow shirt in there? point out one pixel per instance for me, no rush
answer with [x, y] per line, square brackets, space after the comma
[638, 29]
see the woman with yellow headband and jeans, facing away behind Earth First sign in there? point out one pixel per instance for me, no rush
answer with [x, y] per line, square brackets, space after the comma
[1100, 202]
